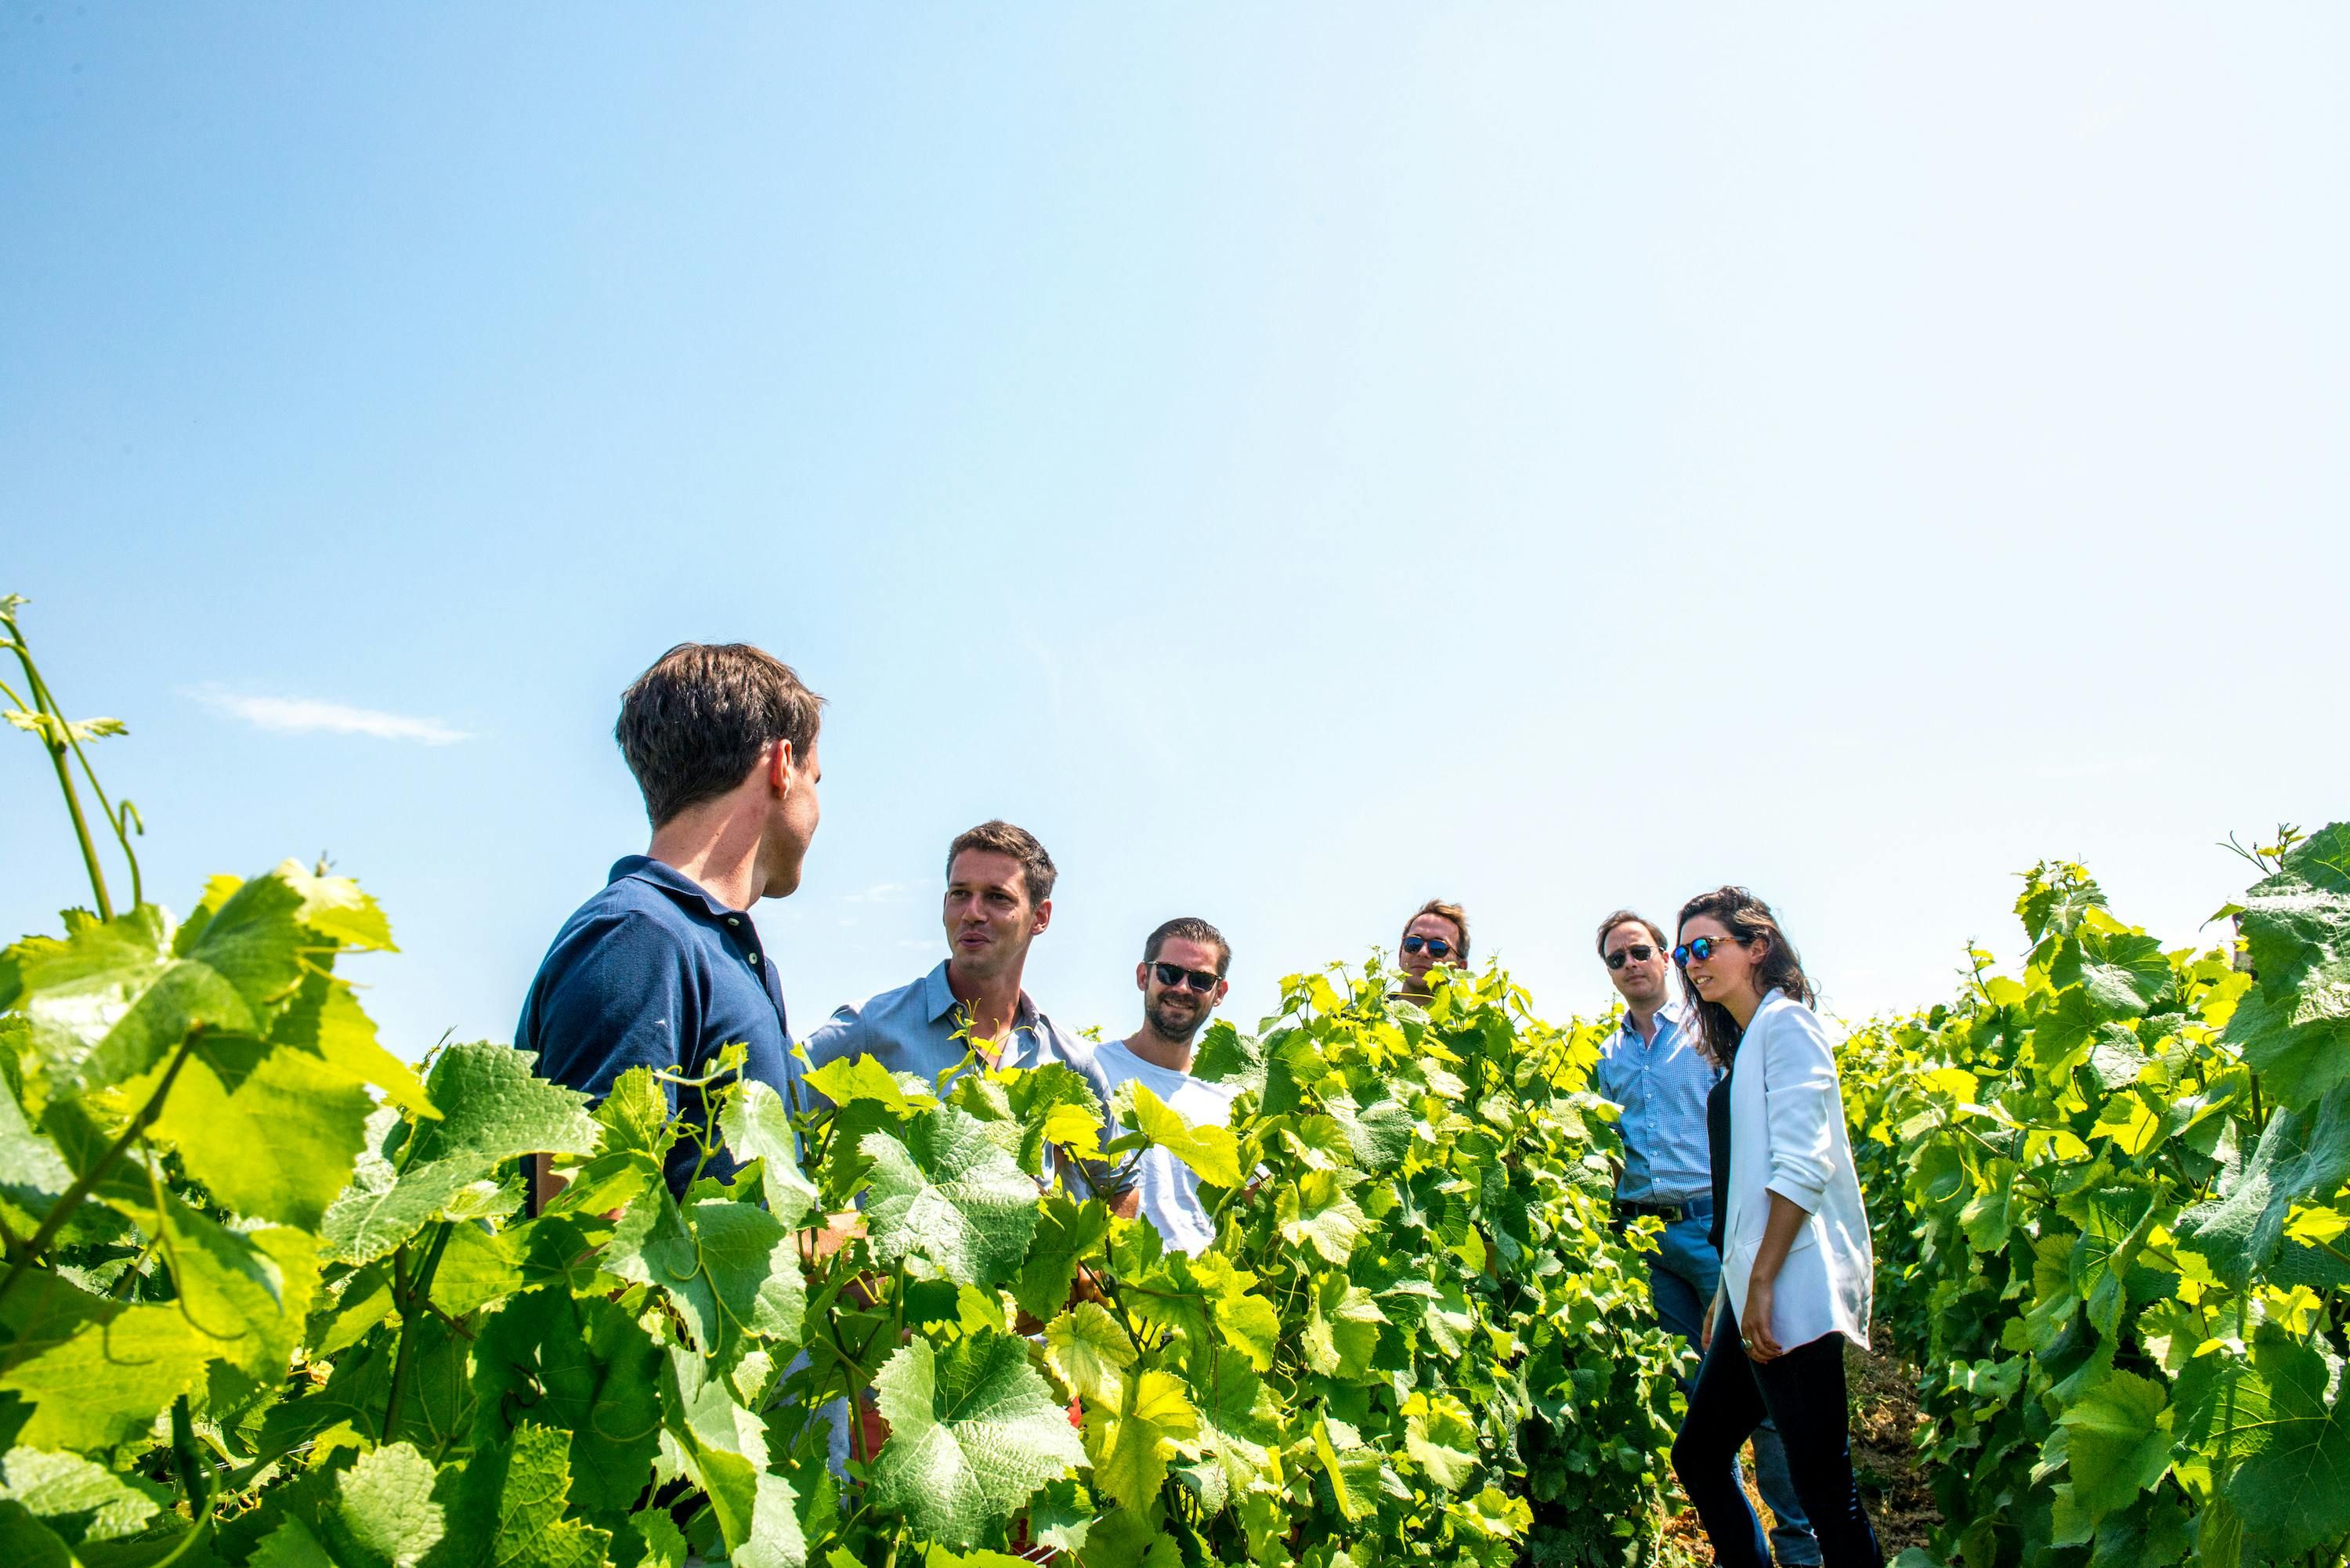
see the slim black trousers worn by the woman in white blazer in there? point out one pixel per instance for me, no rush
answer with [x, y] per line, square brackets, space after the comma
[1804, 1395]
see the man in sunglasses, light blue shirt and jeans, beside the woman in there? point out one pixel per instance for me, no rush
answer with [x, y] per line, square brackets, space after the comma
[1656, 1071]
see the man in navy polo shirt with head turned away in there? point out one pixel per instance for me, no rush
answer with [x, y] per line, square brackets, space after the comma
[664, 967]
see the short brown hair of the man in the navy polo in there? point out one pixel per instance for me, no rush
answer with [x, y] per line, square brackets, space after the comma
[697, 723]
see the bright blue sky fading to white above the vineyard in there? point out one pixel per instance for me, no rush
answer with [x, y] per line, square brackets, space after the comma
[1296, 460]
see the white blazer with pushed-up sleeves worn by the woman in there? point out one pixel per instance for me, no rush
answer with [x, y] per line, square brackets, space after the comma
[1787, 1134]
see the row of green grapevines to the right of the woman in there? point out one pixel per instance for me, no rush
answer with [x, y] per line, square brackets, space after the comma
[2111, 1195]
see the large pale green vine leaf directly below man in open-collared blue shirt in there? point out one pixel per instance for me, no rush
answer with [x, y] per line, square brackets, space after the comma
[951, 1195]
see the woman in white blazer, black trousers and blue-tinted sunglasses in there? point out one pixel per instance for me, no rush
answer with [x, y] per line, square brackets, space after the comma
[1797, 1261]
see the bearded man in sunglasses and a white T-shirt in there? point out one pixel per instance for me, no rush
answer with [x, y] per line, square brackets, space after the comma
[1181, 979]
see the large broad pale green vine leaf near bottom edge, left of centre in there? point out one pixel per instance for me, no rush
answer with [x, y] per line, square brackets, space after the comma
[974, 1433]
